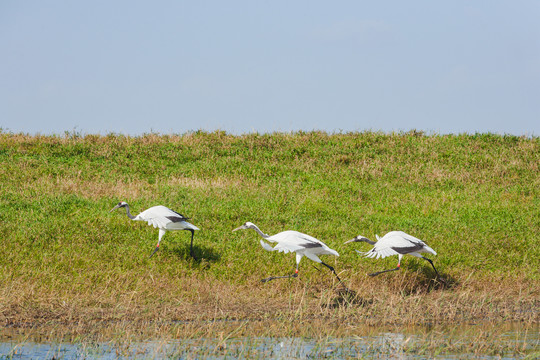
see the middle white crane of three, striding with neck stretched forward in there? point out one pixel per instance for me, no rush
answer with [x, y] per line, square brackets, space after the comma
[294, 241]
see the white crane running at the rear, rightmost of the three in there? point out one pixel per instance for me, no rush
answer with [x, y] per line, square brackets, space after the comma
[396, 243]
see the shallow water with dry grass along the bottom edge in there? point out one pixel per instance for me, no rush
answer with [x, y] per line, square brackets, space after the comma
[506, 341]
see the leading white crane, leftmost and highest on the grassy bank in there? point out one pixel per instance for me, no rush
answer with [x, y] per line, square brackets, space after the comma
[164, 219]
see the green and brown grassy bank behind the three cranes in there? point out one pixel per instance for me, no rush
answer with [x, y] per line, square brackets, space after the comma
[65, 258]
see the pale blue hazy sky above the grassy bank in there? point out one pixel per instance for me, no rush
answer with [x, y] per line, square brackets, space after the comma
[172, 67]
